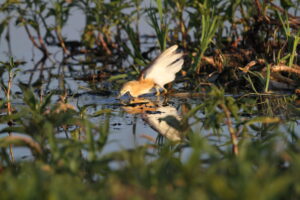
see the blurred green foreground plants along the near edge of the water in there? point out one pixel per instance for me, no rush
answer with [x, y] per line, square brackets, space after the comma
[266, 165]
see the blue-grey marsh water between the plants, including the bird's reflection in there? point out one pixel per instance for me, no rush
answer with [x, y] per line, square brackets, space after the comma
[130, 126]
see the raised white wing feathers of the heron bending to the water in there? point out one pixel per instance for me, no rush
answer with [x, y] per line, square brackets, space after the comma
[163, 69]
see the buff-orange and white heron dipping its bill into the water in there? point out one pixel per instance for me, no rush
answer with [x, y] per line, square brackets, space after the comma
[161, 71]
